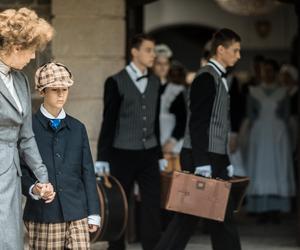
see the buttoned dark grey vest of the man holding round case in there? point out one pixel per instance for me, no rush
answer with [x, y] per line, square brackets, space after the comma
[136, 122]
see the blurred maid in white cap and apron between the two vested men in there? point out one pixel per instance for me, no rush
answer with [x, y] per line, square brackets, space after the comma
[172, 106]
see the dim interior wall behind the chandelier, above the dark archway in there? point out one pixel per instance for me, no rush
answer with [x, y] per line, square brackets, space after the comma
[208, 13]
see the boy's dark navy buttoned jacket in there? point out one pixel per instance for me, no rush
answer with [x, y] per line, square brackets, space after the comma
[66, 153]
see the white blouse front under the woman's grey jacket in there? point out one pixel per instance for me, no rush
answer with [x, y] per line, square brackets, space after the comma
[8, 82]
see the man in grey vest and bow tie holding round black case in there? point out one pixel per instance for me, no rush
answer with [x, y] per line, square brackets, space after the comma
[129, 143]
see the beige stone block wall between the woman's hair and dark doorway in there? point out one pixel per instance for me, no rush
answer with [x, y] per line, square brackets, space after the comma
[90, 39]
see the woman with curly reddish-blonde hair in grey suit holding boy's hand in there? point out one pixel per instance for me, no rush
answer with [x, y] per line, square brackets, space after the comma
[22, 33]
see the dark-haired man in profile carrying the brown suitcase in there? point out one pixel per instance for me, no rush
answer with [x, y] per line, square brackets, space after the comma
[205, 145]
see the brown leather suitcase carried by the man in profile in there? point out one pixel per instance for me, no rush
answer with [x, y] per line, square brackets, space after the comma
[199, 196]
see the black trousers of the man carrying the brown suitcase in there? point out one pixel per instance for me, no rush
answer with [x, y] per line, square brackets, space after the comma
[224, 235]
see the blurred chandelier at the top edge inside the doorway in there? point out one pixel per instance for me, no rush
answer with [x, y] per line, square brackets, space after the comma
[248, 7]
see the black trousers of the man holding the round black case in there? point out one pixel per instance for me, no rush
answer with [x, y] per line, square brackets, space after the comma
[129, 166]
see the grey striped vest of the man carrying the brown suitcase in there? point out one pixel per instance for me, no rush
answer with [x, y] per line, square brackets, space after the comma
[219, 126]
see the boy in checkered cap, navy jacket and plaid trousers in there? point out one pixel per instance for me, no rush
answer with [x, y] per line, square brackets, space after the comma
[62, 140]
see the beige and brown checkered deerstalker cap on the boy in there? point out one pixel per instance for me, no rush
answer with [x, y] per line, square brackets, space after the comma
[53, 75]
